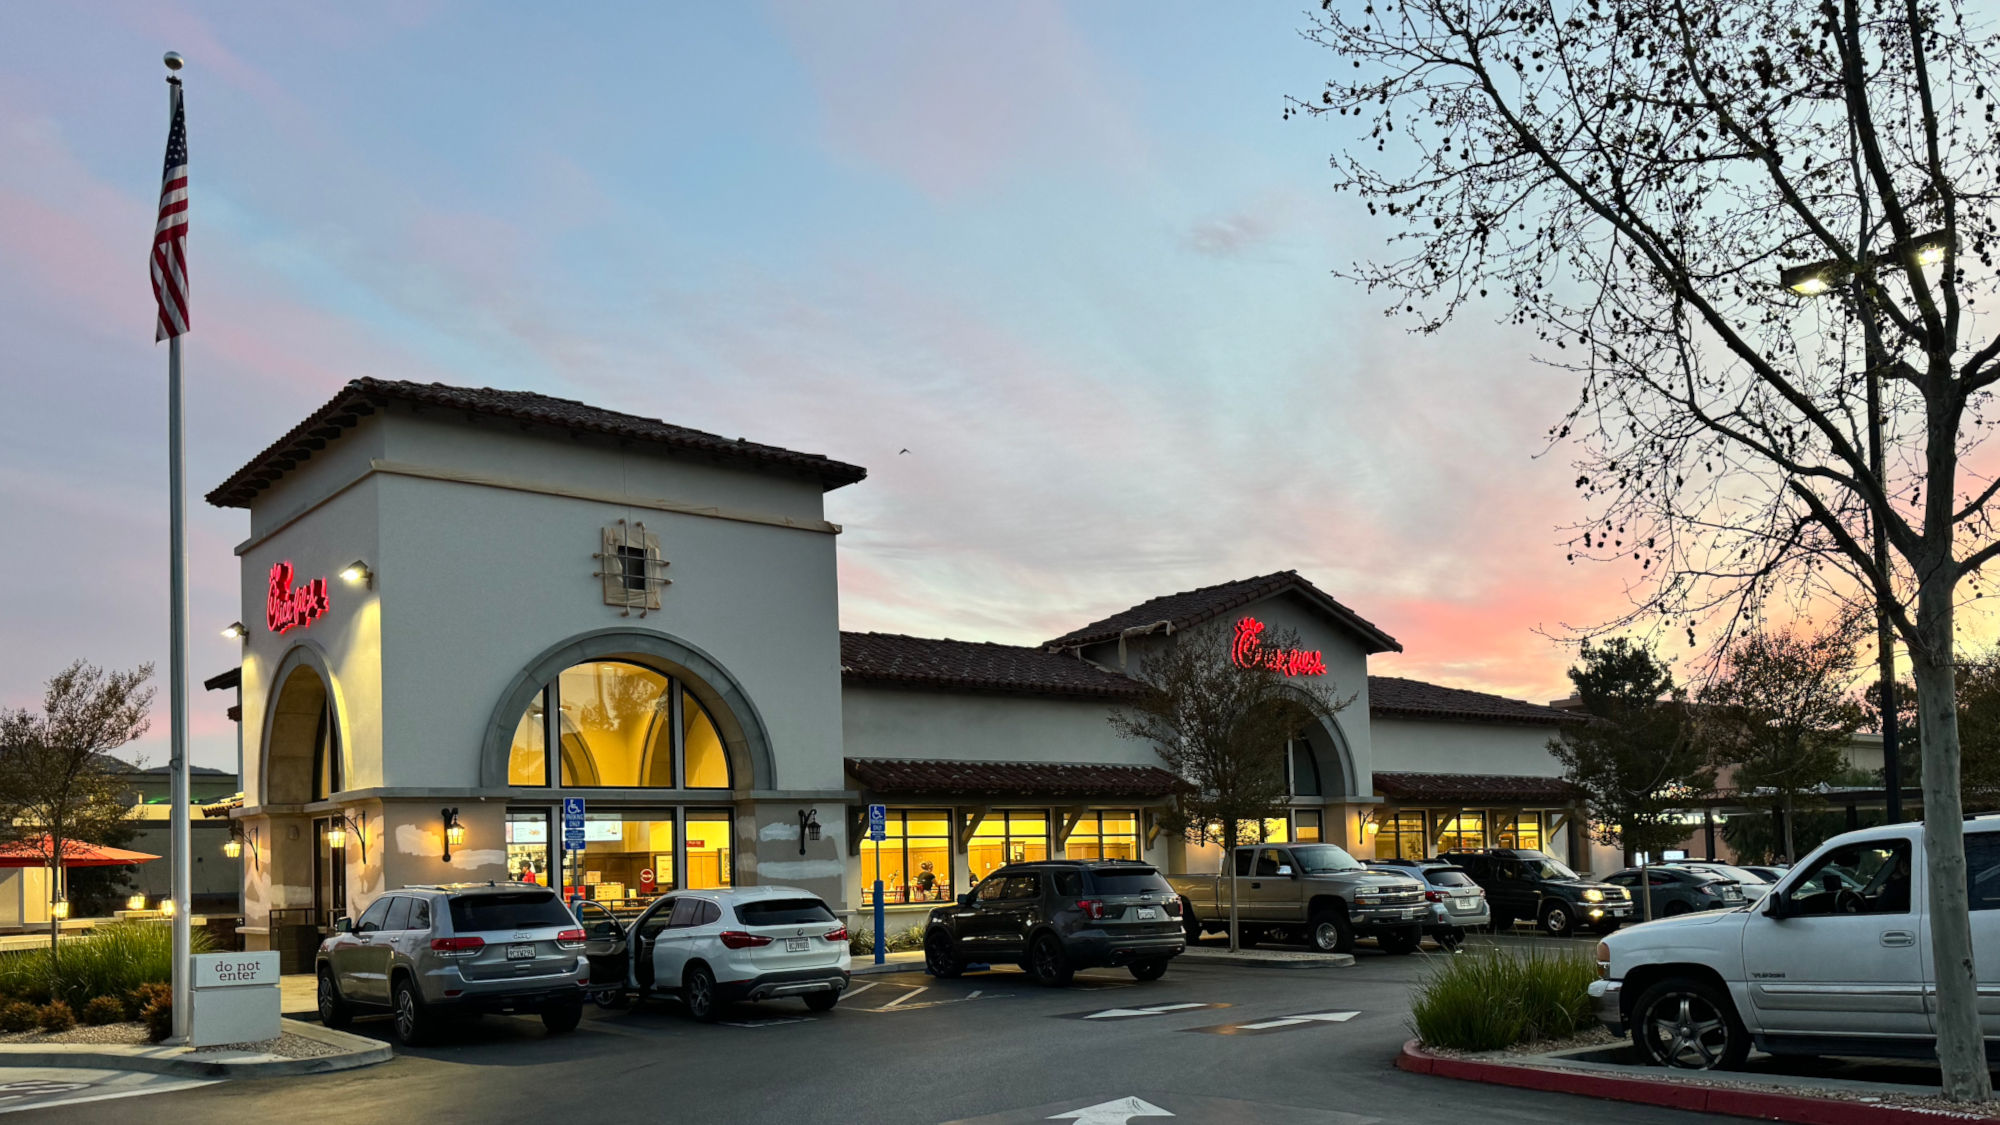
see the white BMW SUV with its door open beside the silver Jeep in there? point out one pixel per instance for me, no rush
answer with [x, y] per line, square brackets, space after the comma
[723, 946]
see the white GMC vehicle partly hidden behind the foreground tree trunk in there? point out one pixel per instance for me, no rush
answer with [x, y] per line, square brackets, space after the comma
[1833, 962]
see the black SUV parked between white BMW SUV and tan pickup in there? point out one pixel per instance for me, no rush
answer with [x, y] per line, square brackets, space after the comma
[1055, 918]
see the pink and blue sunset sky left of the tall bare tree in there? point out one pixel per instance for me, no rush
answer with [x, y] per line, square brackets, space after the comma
[1069, 257]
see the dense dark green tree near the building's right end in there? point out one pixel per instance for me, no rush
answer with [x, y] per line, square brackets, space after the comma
[1637, 762]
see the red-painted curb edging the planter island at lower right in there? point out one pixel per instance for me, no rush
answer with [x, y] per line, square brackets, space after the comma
[1729, 1102]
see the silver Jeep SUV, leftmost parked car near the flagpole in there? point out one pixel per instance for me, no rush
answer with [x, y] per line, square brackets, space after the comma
[461, 948]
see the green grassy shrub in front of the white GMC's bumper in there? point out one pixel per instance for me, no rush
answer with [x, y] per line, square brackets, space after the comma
[1485, 1002]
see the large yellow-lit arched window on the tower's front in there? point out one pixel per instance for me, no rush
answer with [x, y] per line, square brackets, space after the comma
[617, 726]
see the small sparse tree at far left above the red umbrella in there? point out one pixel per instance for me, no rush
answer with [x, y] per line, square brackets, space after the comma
[57, 776]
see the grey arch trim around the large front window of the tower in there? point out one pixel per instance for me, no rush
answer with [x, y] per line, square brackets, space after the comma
[729, 706]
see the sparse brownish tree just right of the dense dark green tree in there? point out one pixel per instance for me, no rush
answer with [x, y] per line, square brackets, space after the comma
[1783, 714]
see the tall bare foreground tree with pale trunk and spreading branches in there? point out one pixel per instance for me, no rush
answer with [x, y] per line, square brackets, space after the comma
[1631, 179]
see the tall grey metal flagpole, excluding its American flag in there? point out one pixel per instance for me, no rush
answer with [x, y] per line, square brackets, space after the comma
[183, 868]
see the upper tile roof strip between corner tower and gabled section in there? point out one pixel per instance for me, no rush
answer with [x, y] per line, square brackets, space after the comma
[973, 666]
